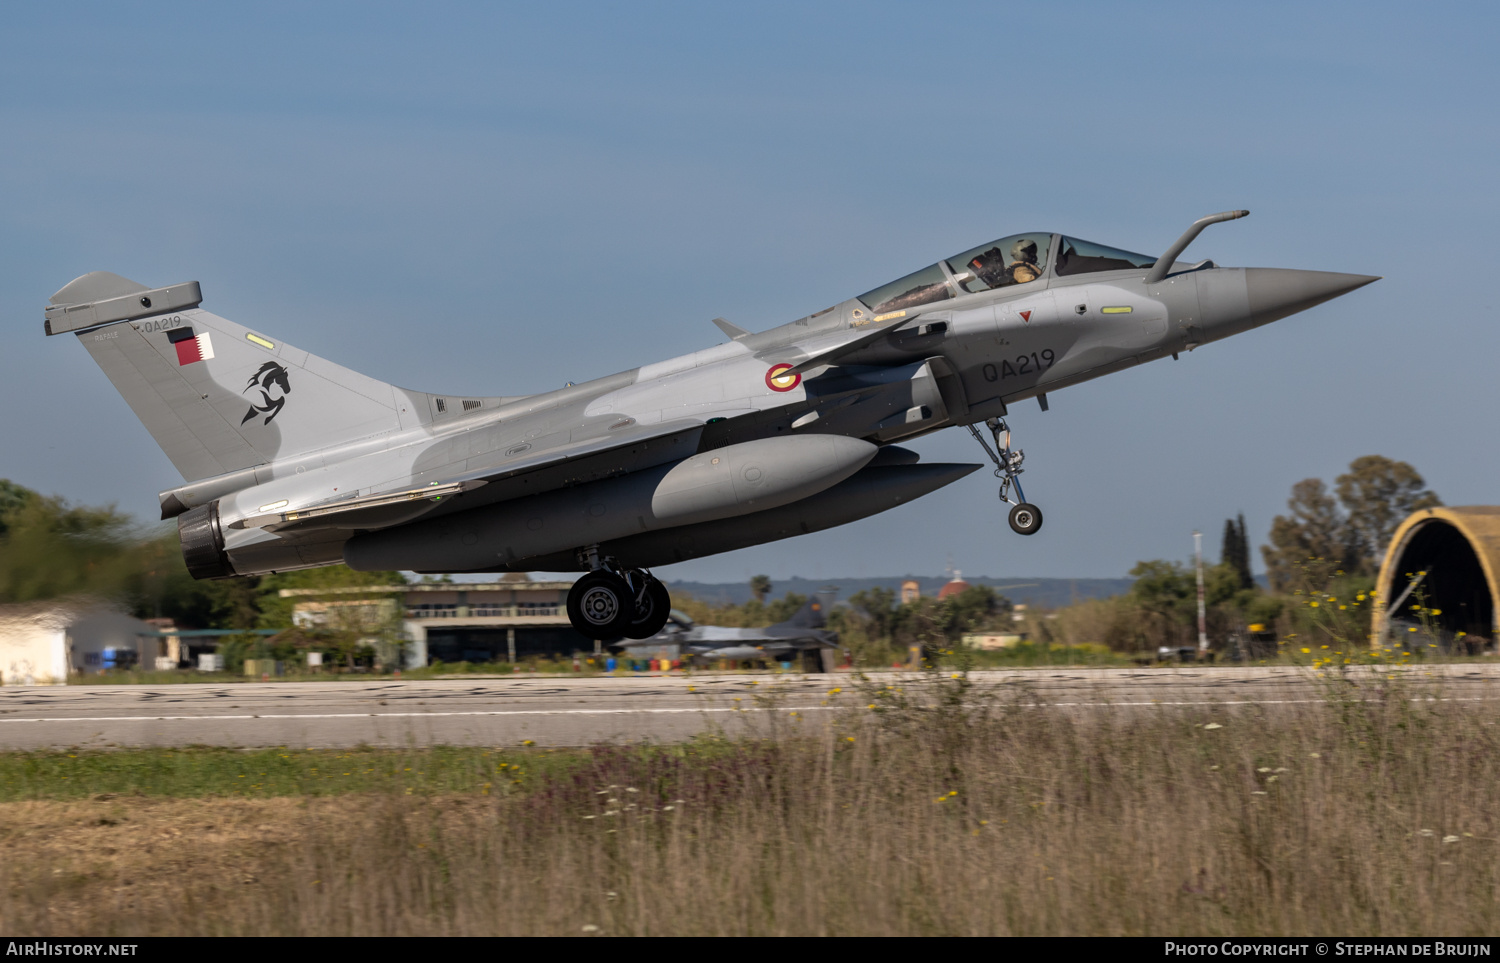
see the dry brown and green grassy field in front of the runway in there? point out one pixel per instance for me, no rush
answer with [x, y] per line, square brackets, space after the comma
[1373, 812]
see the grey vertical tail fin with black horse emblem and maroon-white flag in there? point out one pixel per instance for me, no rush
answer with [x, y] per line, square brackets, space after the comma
[215, 395]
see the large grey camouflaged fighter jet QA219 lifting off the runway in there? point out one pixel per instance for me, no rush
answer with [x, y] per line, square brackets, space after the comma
[293, 463]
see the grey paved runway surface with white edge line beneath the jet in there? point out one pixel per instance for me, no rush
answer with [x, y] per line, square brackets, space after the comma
[551, 710]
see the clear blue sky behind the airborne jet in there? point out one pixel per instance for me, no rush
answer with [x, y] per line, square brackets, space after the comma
[490, 199]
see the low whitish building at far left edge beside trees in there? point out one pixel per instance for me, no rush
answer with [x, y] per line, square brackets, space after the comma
[43, 644]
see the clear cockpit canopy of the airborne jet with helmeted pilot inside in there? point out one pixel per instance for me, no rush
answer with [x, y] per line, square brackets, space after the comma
[1009, 262]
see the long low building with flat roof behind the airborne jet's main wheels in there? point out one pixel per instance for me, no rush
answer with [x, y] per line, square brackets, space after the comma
[509, 620]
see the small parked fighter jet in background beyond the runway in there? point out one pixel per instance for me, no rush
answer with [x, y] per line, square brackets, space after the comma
[800, 638]
